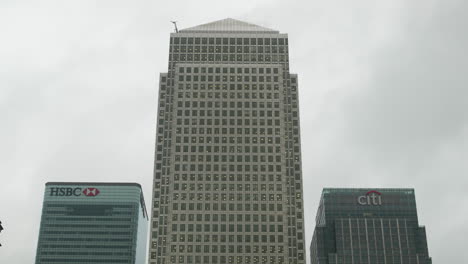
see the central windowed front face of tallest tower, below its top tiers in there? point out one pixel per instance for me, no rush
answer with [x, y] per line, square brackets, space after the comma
[227, 192]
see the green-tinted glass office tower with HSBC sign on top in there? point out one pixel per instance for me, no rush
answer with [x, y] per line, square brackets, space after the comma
[92, 223]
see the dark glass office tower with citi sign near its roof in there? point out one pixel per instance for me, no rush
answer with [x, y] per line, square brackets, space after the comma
[365, 226]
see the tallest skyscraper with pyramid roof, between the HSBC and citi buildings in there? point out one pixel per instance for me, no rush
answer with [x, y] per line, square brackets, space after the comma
[227, 177]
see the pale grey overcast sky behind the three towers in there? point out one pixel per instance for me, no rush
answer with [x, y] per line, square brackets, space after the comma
[383, 100]
